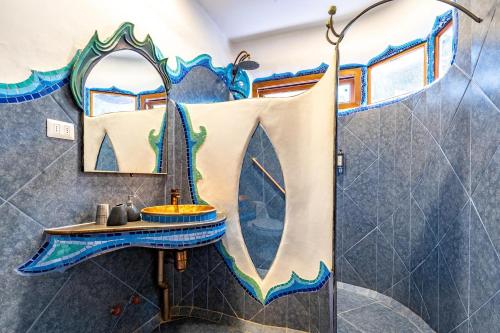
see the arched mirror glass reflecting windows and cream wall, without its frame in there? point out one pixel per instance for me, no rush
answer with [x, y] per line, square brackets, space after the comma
[119, 135]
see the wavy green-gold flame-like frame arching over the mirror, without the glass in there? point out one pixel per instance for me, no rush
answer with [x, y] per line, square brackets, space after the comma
[122, 39]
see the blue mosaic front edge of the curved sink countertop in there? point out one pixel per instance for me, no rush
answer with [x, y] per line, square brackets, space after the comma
[62, 251]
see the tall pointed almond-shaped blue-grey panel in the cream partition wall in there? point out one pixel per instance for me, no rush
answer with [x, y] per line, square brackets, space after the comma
[261, 201]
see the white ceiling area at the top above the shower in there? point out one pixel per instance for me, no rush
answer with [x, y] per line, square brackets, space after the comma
[241, 20]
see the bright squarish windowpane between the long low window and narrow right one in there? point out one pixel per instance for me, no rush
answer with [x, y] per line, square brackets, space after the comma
[398, 76]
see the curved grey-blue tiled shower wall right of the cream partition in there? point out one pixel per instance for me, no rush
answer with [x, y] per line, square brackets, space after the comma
[417, 211]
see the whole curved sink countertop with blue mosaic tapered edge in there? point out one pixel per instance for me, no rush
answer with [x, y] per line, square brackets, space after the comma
[67, 246]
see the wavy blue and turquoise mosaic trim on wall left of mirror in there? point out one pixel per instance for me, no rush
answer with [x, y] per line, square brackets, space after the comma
[37, 85]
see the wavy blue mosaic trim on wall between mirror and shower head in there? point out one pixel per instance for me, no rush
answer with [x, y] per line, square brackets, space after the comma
[240, 88]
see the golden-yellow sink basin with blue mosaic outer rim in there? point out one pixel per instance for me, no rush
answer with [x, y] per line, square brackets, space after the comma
[178, 213]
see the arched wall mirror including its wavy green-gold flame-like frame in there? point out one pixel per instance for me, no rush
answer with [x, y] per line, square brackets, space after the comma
[122, 85]
